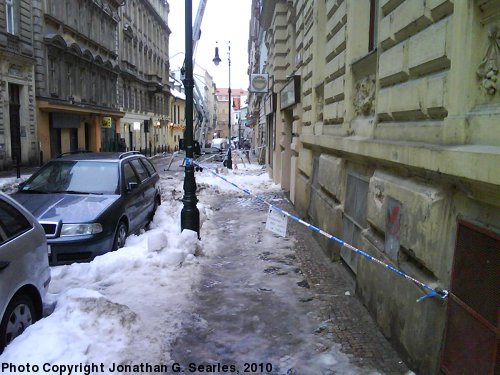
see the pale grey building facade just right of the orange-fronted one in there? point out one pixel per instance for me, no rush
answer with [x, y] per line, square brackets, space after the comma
[144, 90]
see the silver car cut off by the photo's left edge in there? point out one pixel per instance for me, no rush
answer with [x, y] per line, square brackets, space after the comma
[24, 270]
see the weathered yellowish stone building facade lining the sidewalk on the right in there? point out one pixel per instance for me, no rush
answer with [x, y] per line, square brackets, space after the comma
[381, 122]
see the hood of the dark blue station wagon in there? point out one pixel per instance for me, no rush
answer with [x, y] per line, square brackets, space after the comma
[68, 208]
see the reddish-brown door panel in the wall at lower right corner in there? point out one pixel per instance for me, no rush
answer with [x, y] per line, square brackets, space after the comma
[471, 338]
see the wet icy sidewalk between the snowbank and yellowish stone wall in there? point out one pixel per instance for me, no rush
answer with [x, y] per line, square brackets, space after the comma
[267, 304]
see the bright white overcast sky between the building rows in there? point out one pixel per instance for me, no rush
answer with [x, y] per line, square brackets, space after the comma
[223, 21]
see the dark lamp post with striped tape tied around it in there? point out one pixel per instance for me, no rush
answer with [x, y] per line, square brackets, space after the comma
[190, 216]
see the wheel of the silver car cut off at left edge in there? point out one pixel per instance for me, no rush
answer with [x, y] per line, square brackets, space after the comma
[19, 315]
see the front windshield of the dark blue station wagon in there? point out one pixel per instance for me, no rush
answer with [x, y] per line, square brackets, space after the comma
[74, 177]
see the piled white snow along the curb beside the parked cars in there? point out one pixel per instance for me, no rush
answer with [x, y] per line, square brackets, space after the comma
[127, 306]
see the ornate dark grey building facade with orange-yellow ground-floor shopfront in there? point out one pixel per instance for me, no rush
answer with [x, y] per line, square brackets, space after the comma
[76, 74]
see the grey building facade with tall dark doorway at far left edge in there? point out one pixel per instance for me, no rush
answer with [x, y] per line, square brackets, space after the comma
[18, 131]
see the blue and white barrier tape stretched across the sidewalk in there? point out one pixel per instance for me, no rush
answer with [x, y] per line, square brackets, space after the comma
[433, 292]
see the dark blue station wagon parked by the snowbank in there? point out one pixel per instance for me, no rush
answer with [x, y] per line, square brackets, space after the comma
[89, 202]
